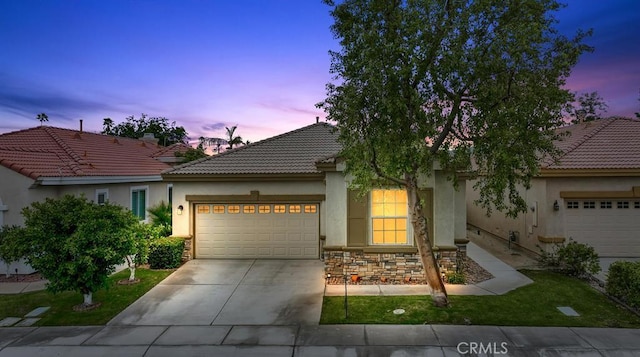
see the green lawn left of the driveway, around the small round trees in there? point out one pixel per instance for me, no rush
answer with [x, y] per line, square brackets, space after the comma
[113, 299]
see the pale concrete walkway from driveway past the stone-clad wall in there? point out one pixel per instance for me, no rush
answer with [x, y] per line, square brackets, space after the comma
[505, 279]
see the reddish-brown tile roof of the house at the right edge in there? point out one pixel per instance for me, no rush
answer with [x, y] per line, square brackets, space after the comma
[610, 143]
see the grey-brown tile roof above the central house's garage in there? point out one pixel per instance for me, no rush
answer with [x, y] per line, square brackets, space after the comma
[295, 152]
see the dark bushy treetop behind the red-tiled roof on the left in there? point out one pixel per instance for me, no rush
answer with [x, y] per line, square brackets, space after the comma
[165, 131]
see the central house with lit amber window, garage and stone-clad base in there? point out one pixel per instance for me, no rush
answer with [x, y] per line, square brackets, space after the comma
[287, 197]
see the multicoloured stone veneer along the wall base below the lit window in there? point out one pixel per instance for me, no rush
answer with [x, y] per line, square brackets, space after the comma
[394, 268]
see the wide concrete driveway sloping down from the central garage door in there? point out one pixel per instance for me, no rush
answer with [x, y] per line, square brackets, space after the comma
[233, 292]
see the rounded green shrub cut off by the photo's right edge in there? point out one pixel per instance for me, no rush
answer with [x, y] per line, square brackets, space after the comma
[623, 282]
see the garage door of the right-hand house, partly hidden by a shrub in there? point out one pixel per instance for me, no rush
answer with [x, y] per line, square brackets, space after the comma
[612, 227]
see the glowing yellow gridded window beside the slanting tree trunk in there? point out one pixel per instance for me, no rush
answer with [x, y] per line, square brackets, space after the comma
[389, 216]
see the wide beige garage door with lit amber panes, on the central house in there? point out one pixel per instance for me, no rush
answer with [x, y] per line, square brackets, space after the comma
[257, 231]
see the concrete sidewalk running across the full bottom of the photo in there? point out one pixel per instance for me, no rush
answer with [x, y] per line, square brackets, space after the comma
[325, 340]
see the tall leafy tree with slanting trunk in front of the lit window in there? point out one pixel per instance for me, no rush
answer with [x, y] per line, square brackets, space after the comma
[426, 83]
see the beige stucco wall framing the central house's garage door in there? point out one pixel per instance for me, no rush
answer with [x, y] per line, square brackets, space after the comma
[183, 224]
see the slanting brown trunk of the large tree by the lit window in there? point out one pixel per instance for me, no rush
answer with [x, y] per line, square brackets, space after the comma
[421, 237]
